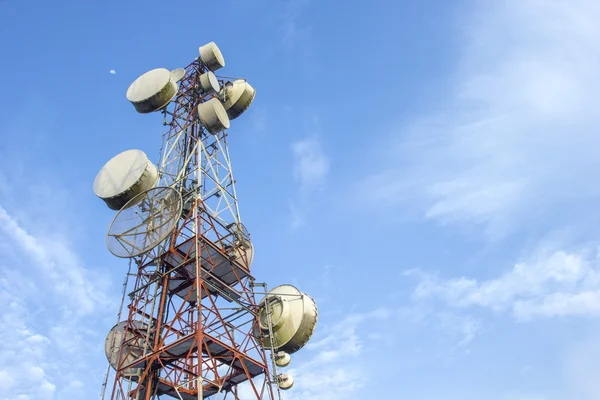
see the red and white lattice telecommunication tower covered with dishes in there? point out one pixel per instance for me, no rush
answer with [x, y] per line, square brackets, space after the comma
[192, 326]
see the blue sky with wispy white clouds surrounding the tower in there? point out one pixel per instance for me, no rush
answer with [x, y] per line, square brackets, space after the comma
[426, 170]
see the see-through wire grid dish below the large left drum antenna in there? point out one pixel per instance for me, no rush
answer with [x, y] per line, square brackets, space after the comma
[137, 230]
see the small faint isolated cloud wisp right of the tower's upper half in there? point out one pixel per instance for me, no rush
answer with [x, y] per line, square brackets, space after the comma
[311, 165]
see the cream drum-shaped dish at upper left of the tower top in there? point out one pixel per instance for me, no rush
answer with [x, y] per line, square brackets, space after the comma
[152, 91]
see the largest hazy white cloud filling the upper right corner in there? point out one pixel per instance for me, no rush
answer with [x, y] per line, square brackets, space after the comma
[518, 134]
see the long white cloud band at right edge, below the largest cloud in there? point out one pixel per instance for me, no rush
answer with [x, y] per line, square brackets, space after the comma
[551, 284]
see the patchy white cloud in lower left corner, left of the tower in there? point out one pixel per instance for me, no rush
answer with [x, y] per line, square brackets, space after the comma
[48, 328]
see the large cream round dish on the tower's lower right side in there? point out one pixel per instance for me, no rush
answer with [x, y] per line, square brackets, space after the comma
[293, 319]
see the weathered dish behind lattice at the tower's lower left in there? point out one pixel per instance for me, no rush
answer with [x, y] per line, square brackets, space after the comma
[126, 350]
